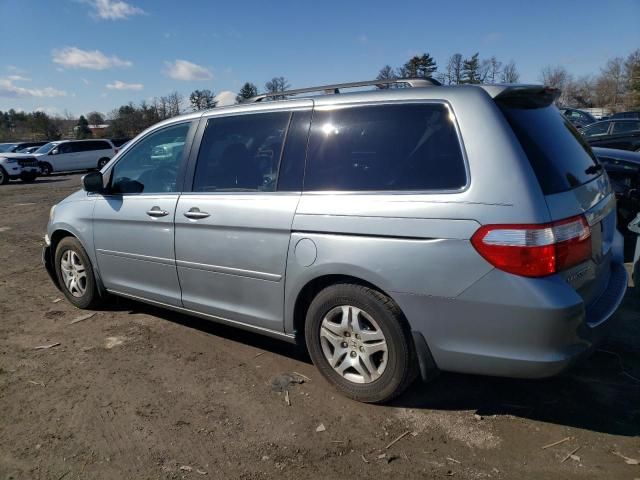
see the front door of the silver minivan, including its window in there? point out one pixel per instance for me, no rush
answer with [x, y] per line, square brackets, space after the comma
[133, 223]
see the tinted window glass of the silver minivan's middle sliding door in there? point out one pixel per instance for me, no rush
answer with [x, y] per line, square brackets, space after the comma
[241, 153]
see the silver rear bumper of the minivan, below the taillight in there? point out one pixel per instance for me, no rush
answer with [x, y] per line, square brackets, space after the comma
[512, 326]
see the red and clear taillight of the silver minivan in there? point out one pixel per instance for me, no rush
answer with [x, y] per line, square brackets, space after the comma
[535, 250]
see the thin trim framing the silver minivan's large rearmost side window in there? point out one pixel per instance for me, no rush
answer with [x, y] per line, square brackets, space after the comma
[463, 150]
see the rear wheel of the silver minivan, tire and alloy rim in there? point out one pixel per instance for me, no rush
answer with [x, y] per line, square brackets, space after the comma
[376, 315]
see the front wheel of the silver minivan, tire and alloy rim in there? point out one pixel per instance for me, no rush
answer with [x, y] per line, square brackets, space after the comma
[70, 252]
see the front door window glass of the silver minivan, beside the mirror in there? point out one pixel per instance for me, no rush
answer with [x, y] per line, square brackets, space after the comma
[152, 164]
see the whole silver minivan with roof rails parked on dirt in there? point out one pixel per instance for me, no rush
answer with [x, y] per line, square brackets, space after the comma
[398, 232]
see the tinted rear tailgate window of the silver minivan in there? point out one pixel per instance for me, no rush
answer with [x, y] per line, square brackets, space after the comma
[559, 156]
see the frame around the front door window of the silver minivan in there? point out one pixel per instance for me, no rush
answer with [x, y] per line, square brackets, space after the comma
[188, 142]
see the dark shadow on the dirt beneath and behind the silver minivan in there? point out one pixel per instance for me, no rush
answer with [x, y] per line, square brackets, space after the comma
[600, 394]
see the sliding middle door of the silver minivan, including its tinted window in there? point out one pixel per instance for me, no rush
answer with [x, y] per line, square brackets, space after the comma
[233, 229]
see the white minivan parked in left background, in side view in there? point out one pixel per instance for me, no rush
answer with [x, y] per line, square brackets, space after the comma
[69, 155]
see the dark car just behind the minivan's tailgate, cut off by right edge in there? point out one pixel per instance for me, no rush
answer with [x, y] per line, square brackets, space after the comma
[623, 168]
